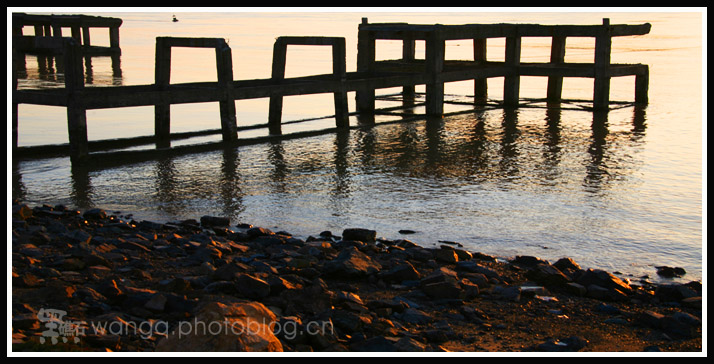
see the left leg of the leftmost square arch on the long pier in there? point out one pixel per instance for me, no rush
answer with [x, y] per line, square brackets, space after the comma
[162, 77]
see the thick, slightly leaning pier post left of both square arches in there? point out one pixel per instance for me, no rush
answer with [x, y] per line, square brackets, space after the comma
[76, 112]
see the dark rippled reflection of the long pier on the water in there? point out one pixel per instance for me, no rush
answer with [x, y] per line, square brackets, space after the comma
[488, 146]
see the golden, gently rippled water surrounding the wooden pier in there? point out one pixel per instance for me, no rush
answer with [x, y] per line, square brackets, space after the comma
[552, 183]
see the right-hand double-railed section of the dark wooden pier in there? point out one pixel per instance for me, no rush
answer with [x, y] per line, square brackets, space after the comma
[434, 70]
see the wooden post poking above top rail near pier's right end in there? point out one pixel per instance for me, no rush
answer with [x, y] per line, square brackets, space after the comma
[603, 48]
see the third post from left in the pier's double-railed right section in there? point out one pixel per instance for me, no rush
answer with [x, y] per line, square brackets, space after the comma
[434, 66]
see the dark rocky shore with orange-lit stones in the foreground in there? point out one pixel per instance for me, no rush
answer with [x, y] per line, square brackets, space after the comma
[95, 281]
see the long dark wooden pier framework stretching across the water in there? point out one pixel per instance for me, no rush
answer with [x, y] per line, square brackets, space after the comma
[433, 71]
